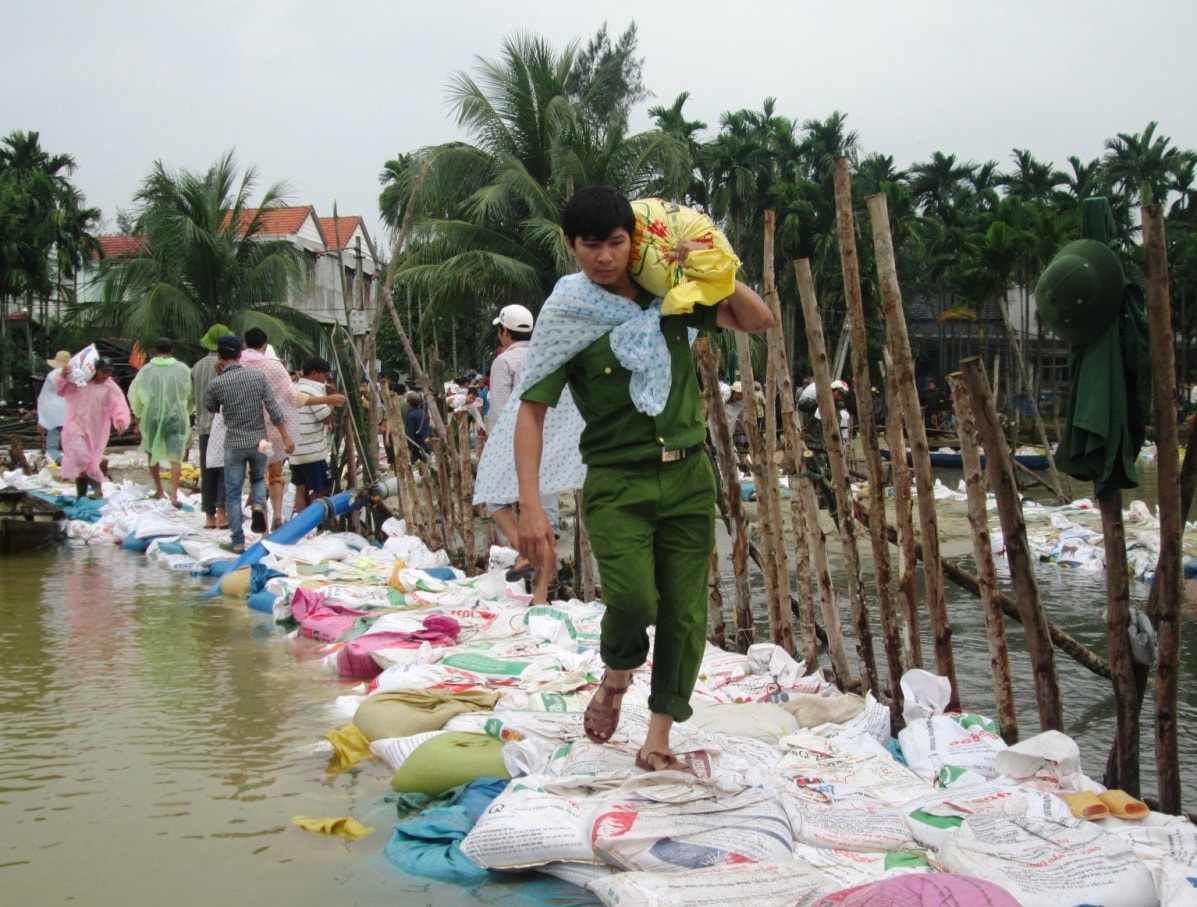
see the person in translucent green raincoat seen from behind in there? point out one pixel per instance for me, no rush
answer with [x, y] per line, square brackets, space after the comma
[161, 399]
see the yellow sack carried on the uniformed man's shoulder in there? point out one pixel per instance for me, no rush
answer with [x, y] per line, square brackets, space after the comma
[709, 276]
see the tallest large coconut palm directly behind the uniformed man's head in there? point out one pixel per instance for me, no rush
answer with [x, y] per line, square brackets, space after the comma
[542, 124]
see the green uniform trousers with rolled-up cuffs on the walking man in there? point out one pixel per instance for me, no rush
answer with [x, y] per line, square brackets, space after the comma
[652, 529]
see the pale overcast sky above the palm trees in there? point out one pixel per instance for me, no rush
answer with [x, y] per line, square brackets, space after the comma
[320, 95]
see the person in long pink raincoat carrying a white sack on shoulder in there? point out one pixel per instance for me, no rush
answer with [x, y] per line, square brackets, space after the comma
[93, 412]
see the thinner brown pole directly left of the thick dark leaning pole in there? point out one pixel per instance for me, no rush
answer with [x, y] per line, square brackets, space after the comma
[987, 576]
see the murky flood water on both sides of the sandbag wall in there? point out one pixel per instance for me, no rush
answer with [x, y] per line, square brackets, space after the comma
[156, 745]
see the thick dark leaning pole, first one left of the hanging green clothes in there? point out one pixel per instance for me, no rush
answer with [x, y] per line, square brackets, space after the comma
[1001, 478]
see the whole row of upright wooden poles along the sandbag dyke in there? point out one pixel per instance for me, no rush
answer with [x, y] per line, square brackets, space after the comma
[793, 556]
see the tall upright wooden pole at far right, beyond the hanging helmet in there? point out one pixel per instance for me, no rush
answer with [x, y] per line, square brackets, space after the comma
[1168, 617]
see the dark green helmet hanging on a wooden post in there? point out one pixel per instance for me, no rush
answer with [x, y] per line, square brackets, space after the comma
[1080, 294]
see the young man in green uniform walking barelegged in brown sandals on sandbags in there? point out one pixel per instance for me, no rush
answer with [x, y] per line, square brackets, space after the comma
[649, 492]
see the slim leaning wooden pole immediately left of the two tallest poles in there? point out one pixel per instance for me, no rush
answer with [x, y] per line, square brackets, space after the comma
[844, 503]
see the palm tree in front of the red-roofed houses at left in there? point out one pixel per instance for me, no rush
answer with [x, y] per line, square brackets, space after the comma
[203, 261]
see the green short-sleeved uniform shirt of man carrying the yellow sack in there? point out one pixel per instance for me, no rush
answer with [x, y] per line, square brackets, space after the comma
[617, 433]
